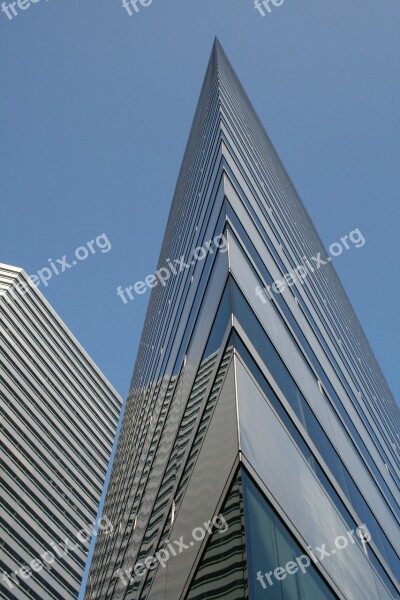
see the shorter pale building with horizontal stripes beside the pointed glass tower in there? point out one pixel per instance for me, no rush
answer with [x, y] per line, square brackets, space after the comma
[58, 421]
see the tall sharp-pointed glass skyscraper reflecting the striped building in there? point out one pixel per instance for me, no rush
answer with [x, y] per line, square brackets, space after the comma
[259, 451]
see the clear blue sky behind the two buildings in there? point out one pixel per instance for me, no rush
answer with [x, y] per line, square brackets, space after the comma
[95, 111]
